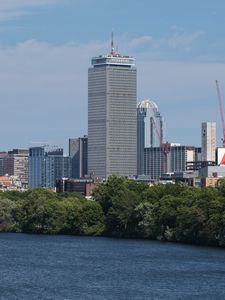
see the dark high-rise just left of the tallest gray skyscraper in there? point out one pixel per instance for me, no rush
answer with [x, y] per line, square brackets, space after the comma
[78, 151]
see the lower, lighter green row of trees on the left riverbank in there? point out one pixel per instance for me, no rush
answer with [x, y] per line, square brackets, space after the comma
[45, 212]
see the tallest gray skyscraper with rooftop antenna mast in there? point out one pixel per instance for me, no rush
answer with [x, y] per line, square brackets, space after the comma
[112, 115]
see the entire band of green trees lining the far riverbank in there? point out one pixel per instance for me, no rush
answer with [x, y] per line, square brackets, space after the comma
[122, 208]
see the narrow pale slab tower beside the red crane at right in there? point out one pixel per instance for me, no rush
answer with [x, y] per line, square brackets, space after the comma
[208, 133]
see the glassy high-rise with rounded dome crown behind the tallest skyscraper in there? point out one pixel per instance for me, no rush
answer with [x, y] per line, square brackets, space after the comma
[150, 130]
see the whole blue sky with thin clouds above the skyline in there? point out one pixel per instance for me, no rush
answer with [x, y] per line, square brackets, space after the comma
[46, 48]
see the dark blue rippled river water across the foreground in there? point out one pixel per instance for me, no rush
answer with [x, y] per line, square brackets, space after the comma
[68, 267]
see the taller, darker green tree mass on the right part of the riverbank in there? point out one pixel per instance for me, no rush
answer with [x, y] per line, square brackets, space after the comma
[171, 212]
